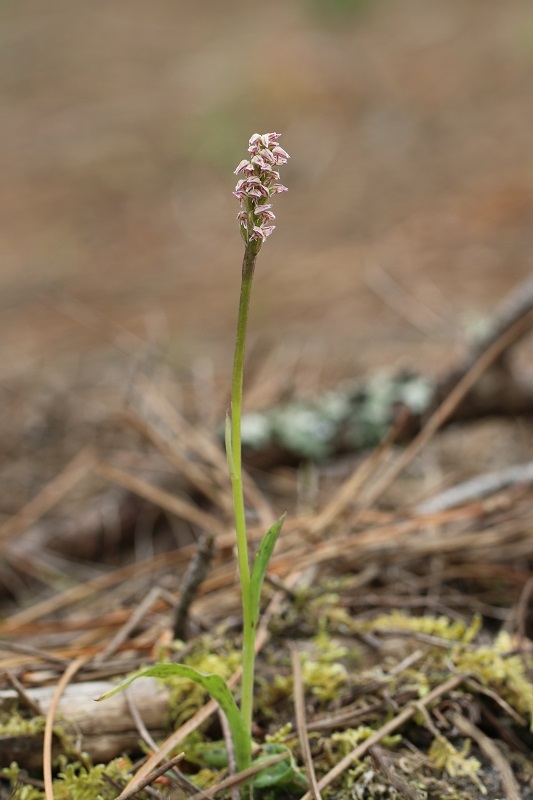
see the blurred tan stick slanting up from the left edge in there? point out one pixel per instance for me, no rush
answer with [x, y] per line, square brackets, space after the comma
[47, 498]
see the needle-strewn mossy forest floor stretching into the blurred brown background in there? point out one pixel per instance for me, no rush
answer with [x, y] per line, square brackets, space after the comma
[401, 629]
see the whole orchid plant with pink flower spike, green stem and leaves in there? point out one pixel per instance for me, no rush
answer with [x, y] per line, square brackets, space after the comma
[254, 190]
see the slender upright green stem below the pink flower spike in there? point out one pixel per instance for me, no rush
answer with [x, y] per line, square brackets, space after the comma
[235, 461]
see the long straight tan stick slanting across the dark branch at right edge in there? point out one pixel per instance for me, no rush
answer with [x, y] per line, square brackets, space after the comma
[448, 406]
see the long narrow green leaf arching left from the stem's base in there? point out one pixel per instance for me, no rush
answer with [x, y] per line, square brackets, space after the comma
[219, 691]
